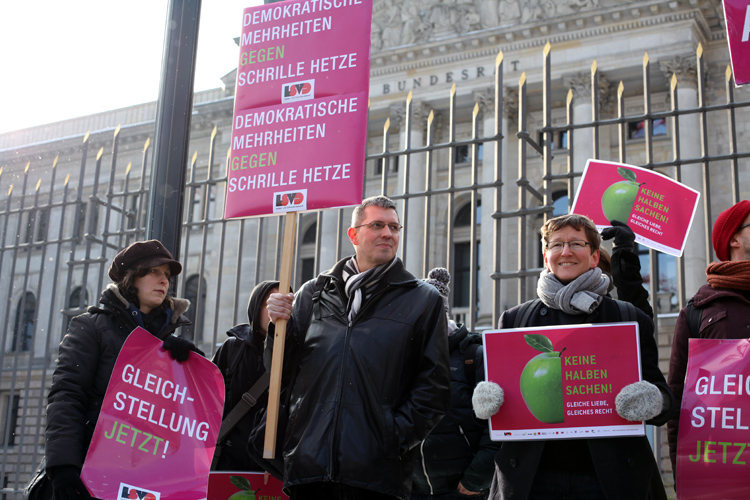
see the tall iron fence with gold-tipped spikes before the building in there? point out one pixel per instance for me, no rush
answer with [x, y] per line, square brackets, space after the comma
[462, 205]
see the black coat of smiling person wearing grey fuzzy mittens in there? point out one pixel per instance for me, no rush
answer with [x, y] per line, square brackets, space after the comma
[625, 466]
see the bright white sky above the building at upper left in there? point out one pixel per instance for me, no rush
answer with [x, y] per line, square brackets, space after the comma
[64, 59]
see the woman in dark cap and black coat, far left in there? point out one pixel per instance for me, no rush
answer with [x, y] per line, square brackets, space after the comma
[137, 297]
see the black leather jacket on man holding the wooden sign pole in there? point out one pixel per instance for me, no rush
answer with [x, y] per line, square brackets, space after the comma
[366, 393]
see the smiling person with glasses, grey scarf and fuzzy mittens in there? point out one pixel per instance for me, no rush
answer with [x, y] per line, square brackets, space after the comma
[573, 290]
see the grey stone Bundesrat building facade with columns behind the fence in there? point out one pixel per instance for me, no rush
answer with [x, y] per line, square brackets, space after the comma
[481, 120]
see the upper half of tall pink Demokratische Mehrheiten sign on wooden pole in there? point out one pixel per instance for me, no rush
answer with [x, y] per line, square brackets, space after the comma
[299, 50]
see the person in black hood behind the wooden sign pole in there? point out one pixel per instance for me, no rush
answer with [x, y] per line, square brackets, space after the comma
[240, 359]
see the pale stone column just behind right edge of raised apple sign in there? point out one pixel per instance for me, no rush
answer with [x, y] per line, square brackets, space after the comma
[690, 147]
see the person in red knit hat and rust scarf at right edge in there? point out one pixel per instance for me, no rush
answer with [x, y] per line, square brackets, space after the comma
[721, 308]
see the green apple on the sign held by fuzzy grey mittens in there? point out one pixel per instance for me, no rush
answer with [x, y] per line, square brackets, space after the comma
[541, 381]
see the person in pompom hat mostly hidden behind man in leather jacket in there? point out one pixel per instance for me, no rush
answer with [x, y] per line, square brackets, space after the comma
[456, 459]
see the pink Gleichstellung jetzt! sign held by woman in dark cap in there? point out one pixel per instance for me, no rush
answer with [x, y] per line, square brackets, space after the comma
[158, 425]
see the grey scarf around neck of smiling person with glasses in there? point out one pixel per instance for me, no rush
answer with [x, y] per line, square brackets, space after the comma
[580, 296]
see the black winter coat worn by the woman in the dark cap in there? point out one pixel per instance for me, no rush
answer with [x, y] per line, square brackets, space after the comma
[86, 358]
